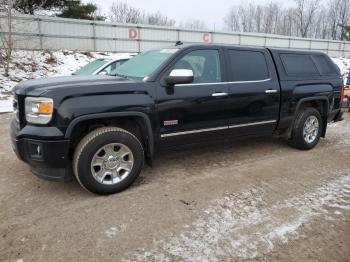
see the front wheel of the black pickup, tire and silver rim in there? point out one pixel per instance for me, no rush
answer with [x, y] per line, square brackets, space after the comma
[100, 157]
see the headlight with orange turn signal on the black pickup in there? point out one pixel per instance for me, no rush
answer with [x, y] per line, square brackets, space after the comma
[38, 110]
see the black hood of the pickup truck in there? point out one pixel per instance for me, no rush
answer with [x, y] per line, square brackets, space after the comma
[37, 87]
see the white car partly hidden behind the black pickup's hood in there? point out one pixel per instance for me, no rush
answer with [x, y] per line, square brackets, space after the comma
[103, 66]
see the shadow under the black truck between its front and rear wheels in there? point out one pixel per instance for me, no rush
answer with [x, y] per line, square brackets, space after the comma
[193, 159]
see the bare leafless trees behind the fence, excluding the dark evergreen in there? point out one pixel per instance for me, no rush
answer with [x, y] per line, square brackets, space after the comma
[324, 19]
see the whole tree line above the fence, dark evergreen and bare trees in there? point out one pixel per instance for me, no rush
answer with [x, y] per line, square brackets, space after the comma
[325, 19]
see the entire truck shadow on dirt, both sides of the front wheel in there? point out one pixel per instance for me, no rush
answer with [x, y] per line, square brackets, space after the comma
[184, 161]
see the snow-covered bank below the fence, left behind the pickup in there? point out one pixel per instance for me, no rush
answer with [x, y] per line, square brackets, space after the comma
[37, 64]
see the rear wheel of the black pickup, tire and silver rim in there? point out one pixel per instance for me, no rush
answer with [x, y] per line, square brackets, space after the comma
[302, 137]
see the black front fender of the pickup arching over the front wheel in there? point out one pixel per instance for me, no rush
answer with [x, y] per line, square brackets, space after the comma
[75, 110]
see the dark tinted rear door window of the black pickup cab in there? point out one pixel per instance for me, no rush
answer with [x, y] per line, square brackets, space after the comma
[246, 65]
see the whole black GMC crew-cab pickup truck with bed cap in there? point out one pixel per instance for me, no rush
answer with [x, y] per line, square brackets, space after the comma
[103, 128]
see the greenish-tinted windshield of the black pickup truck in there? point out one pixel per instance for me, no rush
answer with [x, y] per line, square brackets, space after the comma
[146, 63]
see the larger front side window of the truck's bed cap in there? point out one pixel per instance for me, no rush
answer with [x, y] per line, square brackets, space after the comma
[299, 65]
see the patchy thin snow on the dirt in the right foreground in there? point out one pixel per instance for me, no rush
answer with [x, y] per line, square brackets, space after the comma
[244, 226]
